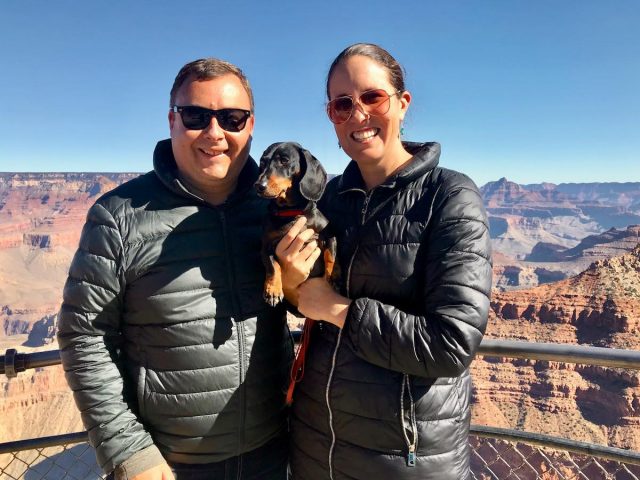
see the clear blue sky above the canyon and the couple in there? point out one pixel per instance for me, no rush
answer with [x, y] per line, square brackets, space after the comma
[537, 90]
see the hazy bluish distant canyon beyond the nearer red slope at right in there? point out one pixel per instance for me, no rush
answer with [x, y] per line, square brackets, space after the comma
[543, 233]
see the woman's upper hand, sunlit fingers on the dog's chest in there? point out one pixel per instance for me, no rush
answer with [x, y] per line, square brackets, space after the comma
[296, 255]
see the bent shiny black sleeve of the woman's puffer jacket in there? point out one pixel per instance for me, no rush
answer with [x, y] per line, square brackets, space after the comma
[455, 297]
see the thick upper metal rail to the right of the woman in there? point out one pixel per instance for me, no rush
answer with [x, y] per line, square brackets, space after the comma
[560, 352]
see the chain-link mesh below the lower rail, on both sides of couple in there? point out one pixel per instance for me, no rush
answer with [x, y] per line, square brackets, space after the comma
[493, 458]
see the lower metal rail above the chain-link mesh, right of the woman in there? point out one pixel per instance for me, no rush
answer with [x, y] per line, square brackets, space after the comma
[558, 443]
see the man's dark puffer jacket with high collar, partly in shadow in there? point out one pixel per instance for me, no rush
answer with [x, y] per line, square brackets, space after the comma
[164, 334]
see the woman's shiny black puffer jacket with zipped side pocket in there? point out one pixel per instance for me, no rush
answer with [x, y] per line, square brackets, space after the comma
[388, 395]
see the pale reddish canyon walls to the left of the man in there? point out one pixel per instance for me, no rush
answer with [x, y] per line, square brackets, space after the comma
[41, 216]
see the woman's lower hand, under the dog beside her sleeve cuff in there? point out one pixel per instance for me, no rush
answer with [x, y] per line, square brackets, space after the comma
[318, 300]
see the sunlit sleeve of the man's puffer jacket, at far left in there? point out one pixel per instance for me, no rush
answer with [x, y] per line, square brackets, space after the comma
[89, 336]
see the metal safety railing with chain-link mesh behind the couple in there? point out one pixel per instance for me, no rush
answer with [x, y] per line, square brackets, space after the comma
[497, 454]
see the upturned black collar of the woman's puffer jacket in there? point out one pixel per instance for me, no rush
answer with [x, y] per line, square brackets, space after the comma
[425, 158]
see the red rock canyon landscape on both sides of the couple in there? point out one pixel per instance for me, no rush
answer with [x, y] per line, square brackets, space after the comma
[543, 234]
